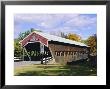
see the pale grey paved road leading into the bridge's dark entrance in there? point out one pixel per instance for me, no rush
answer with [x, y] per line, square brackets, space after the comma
[24, 63]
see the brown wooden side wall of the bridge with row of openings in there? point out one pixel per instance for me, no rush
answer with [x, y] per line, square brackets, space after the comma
[64, 54]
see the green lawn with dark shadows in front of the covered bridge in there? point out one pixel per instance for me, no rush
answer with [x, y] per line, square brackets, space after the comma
[56, 70]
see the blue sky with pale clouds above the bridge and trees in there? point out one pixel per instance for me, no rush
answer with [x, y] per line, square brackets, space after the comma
[84, 25]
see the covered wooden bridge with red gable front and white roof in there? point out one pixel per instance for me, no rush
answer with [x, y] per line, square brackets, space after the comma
[39, 45]
